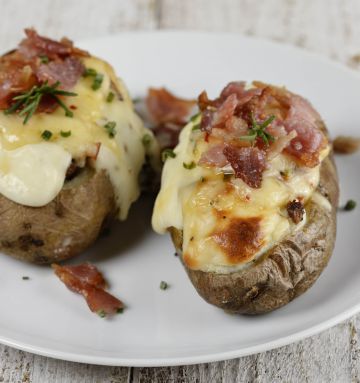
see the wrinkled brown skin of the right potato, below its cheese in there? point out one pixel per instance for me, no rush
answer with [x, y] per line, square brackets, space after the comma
[285, 271]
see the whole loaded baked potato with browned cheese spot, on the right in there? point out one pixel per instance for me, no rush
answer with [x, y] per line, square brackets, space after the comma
[249, 197]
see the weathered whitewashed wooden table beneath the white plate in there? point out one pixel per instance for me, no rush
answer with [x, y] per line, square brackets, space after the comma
[328, 27]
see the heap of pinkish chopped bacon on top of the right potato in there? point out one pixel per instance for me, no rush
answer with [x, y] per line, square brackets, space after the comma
[230, 116]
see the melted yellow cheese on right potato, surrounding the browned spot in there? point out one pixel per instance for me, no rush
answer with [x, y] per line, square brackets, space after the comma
[199, 202]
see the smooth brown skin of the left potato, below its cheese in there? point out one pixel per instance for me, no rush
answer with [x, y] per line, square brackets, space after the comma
[64, 227]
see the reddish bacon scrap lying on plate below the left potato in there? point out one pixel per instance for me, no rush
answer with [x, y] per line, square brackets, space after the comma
[86, 280]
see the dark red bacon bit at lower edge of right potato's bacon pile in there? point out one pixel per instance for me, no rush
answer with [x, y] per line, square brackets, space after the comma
[248, 163]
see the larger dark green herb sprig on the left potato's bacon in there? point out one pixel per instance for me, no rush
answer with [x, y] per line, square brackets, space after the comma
[27, 103]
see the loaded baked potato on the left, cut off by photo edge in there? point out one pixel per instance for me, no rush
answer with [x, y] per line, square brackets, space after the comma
[71, 149]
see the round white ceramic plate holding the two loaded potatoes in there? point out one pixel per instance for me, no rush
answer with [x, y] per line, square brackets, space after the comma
[176, 326]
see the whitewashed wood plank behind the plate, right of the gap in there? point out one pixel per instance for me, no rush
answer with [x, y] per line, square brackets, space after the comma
[322, 26]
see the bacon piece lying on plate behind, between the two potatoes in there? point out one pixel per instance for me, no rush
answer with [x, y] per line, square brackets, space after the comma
[169, 114]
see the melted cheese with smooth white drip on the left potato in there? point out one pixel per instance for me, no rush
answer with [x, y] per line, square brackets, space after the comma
[121, 156]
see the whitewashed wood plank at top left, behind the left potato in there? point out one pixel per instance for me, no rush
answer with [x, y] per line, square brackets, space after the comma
[78, 19]
